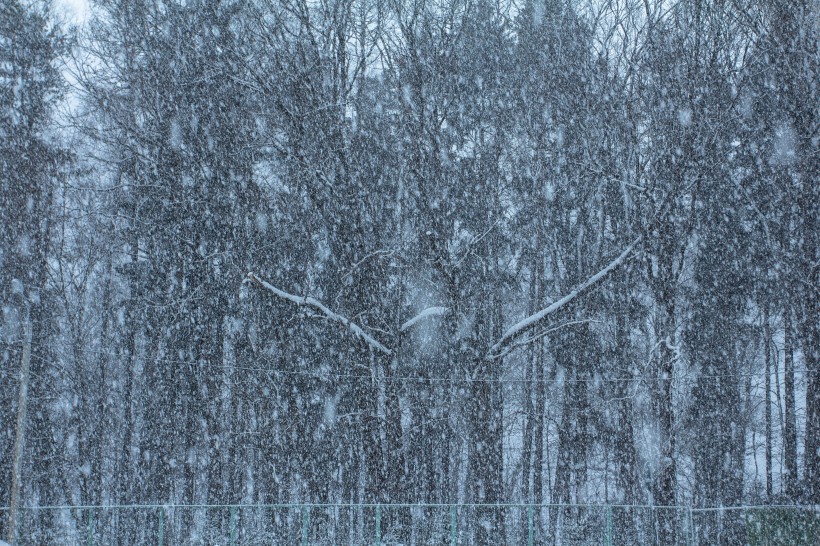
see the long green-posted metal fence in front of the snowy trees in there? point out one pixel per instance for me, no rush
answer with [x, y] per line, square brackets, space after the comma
[414, 524]
